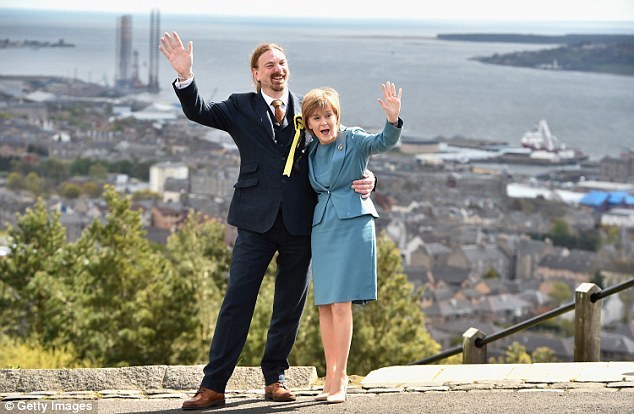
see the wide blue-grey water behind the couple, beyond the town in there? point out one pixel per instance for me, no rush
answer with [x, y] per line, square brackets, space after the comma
[445, 93]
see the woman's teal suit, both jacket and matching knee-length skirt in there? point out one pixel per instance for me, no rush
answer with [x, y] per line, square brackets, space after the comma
[343, 238]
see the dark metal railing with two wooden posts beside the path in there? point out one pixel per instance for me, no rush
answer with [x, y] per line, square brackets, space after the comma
[586, 337]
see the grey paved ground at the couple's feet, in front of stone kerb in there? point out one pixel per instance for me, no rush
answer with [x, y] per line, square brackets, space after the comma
[503, 402]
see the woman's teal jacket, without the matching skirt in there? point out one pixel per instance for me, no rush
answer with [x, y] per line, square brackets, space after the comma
[353, 150]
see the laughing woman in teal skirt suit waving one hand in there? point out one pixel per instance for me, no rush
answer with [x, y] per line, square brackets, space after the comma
[343, 222]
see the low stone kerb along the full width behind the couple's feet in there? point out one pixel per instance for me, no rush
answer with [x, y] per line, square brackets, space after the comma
[177, 380]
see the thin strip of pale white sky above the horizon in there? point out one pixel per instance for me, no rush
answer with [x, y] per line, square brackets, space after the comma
[512, 10]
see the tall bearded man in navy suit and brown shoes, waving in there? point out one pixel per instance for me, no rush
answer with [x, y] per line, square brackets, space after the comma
[272, 208]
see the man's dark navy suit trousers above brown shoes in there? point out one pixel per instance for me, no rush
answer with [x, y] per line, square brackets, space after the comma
[251, 256]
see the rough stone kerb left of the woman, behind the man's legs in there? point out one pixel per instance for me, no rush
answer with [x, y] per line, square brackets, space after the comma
[154, 377]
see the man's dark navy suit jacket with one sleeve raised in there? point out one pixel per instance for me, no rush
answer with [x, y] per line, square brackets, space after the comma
[261, 190]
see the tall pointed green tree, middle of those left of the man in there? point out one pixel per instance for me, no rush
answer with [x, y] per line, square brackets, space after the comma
[118, 274]
